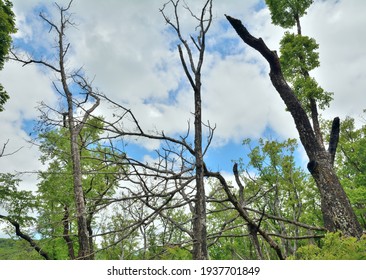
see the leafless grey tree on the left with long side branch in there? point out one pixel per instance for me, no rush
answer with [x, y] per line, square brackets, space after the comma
[74, 123]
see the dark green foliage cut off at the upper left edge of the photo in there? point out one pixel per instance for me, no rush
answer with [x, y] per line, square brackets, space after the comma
[7, 27]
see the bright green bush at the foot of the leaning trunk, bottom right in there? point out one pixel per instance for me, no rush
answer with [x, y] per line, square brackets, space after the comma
[334, 247]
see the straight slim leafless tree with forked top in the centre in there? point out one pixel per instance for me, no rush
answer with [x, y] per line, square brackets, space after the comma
[192, 71]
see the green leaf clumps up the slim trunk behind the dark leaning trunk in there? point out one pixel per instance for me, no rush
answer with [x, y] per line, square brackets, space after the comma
[298, 53]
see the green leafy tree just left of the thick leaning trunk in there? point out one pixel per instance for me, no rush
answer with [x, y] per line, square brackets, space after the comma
[275, 184]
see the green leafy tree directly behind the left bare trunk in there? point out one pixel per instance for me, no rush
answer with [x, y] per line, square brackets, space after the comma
[56, 221]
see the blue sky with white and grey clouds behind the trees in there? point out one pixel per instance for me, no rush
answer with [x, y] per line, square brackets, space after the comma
[129, 52]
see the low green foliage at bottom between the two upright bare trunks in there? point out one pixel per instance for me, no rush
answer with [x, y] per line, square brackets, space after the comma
[159, 240]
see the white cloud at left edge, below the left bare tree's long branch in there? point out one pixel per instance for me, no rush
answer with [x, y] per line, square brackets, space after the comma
[27, 86]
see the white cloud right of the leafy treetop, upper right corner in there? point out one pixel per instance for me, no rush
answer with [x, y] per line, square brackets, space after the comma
[338, 27]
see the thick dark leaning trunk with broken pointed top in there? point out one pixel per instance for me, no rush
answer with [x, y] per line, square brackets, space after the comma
[336, 208]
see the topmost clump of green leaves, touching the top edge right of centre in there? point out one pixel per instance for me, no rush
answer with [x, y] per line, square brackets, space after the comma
[285, 12]
